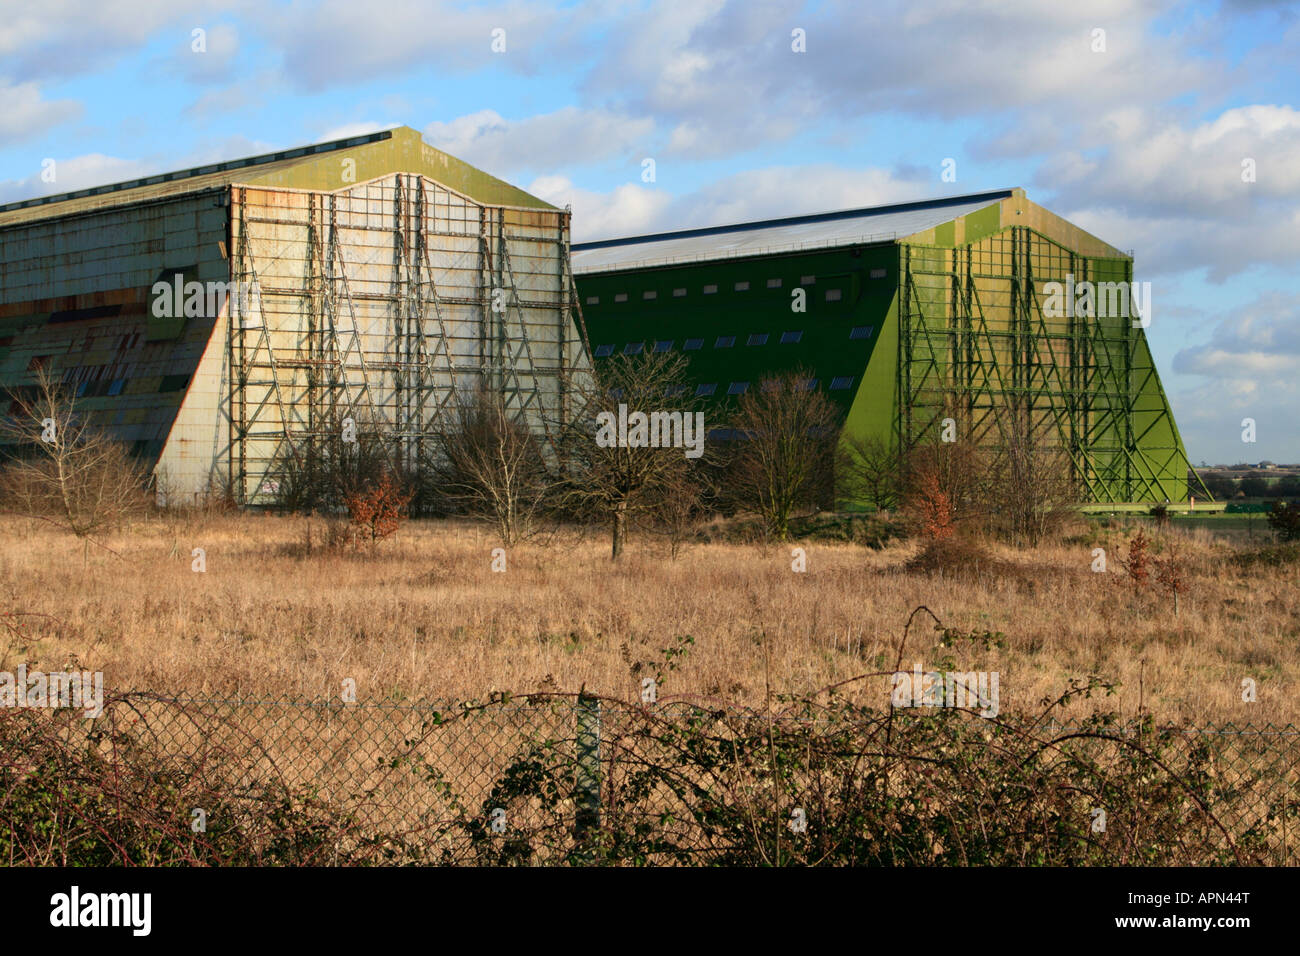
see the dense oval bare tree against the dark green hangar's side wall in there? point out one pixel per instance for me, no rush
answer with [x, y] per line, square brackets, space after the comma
[786, 448]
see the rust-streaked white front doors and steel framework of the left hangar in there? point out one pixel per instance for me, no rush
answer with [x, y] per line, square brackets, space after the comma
[387, 304]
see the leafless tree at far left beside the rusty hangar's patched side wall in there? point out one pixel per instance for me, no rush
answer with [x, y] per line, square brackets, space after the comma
[67, 470]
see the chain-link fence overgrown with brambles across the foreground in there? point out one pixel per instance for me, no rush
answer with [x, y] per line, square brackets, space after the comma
[567, 780]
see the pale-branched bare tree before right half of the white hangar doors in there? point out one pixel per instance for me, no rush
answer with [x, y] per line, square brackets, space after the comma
[489, 464]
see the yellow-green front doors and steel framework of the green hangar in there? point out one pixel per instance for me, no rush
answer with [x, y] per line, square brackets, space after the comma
[976, 347]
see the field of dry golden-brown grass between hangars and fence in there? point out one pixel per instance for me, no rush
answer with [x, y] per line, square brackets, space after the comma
[424, 616]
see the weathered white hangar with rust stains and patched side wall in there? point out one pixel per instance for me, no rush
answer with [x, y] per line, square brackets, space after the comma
[218, 318]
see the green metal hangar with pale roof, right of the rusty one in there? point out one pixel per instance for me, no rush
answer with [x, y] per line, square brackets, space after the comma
[907, 315]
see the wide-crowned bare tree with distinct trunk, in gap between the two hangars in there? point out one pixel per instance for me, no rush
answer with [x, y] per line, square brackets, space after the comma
[630, 451]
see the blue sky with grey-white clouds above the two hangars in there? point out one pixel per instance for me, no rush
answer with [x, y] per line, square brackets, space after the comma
[1168, 129]
